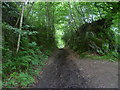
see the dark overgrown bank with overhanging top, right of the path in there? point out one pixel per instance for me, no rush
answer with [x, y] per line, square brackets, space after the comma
[101, 36]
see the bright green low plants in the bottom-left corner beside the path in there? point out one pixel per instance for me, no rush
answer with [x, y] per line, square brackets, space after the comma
[18, 80]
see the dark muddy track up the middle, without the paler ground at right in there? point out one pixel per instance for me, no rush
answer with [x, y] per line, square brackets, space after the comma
[61, 73]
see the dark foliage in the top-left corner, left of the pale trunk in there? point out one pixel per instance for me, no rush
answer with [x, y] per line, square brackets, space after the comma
[10, 12]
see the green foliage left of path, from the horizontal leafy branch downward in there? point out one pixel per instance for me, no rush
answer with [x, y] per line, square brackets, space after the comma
[29, 59]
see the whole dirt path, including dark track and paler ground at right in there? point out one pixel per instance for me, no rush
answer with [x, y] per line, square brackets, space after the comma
[65, 70]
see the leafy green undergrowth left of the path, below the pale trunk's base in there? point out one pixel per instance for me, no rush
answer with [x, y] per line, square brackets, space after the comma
[20, 70]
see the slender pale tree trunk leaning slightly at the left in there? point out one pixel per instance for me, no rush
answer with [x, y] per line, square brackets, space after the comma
[19, 36]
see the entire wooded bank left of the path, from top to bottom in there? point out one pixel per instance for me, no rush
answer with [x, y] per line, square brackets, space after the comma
[20, 68]
